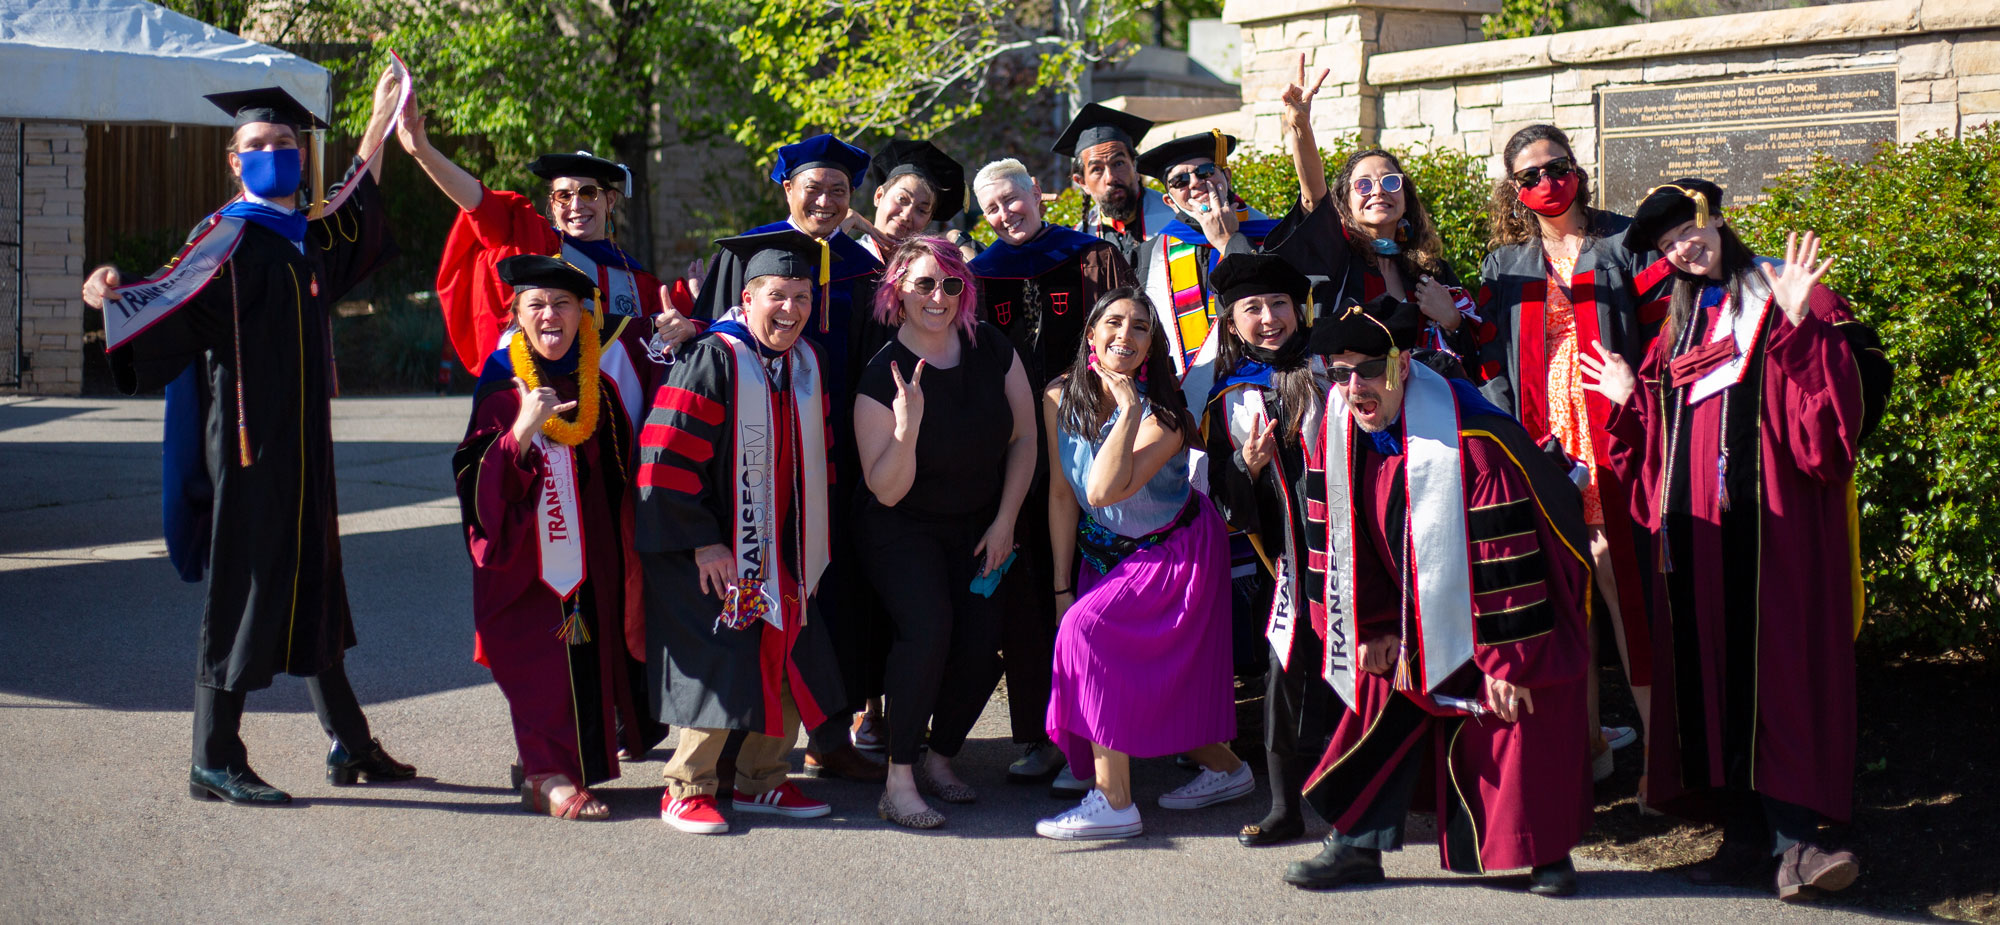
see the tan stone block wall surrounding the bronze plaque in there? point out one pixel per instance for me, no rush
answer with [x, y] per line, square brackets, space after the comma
[1399, 83]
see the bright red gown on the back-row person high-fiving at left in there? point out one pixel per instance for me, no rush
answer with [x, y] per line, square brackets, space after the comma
[505, 225]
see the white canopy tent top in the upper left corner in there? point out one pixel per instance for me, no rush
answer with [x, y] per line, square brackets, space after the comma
[131, 61]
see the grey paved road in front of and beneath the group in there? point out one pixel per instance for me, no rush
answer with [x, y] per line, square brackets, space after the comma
[97, 662]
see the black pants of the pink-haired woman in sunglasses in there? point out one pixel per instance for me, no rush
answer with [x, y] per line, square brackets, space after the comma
[945, 640]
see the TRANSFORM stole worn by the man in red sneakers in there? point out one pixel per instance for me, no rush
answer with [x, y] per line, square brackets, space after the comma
[755, 478]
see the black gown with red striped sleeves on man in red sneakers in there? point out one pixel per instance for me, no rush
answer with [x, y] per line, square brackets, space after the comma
[701, 674]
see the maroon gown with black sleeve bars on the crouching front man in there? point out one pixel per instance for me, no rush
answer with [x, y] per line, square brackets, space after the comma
[1507, 794]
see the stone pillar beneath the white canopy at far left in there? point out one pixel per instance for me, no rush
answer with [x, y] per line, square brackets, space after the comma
[53, 255]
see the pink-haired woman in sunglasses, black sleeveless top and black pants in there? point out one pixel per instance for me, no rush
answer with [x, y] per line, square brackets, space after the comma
[947, 453]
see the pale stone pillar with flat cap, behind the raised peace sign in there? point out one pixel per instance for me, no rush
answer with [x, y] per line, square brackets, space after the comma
[1337, 35]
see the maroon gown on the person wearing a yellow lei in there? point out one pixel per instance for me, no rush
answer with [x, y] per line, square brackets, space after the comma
[567, 700]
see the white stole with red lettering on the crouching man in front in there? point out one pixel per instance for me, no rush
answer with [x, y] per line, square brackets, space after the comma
[1437, 522]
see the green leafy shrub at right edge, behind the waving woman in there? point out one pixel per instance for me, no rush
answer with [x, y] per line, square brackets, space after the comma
[1921, 261]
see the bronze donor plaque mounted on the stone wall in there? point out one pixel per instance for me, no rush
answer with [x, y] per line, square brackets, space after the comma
[1739, 133]
